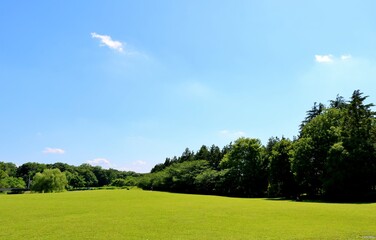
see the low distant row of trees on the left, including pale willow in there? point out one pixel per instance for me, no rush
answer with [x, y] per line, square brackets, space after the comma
[61, 176]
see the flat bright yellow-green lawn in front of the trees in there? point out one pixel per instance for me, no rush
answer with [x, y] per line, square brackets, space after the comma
[136, 214]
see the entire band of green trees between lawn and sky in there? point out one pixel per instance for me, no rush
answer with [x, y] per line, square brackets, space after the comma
[333, 157]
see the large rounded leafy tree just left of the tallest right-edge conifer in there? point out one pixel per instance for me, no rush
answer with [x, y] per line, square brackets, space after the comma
[312, 148]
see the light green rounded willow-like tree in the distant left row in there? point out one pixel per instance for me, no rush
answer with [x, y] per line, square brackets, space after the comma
[50, 180]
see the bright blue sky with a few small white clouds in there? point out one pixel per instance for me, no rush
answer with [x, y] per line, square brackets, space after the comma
[125, 84]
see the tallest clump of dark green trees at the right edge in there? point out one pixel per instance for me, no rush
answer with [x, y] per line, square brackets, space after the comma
[335, 155]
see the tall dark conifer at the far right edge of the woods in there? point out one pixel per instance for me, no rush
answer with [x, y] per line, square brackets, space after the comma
[355, 155]
